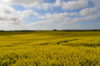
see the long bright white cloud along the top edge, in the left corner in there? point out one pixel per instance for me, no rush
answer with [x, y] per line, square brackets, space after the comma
[24, 3]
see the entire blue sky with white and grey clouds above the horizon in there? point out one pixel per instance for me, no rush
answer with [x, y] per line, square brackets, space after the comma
[49, 14]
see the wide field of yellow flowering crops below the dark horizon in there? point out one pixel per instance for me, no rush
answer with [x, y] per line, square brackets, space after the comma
[50, 48]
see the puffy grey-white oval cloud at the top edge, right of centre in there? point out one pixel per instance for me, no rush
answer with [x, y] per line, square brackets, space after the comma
[75, 4]
